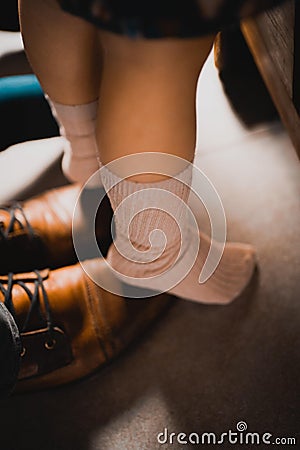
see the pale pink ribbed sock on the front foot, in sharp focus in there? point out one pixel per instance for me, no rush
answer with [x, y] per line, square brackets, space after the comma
[169, 259]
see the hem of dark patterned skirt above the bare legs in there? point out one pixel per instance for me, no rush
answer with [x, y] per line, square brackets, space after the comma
[165, 18]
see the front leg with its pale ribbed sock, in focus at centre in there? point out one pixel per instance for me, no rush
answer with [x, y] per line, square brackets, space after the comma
[148, 93]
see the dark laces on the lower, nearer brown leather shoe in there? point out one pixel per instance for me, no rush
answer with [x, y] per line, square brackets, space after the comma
[36, 296]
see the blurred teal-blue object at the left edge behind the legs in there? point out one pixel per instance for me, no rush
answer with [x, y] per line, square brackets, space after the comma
[18, 87]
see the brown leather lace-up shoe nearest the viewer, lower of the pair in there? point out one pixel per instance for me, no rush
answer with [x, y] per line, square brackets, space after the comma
[69, 326]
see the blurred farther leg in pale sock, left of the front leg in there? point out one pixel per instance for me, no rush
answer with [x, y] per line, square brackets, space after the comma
[65, 55]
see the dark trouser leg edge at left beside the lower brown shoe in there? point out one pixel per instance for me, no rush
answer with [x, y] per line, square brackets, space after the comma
[10, 350]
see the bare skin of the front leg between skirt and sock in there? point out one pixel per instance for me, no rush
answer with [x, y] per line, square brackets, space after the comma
[148, 93]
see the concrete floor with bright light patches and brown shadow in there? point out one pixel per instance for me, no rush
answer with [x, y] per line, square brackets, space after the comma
[200, 368]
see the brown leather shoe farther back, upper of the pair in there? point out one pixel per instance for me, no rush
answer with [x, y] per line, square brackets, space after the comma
[38, 232]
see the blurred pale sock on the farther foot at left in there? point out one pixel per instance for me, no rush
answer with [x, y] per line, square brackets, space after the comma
[77, 124]
